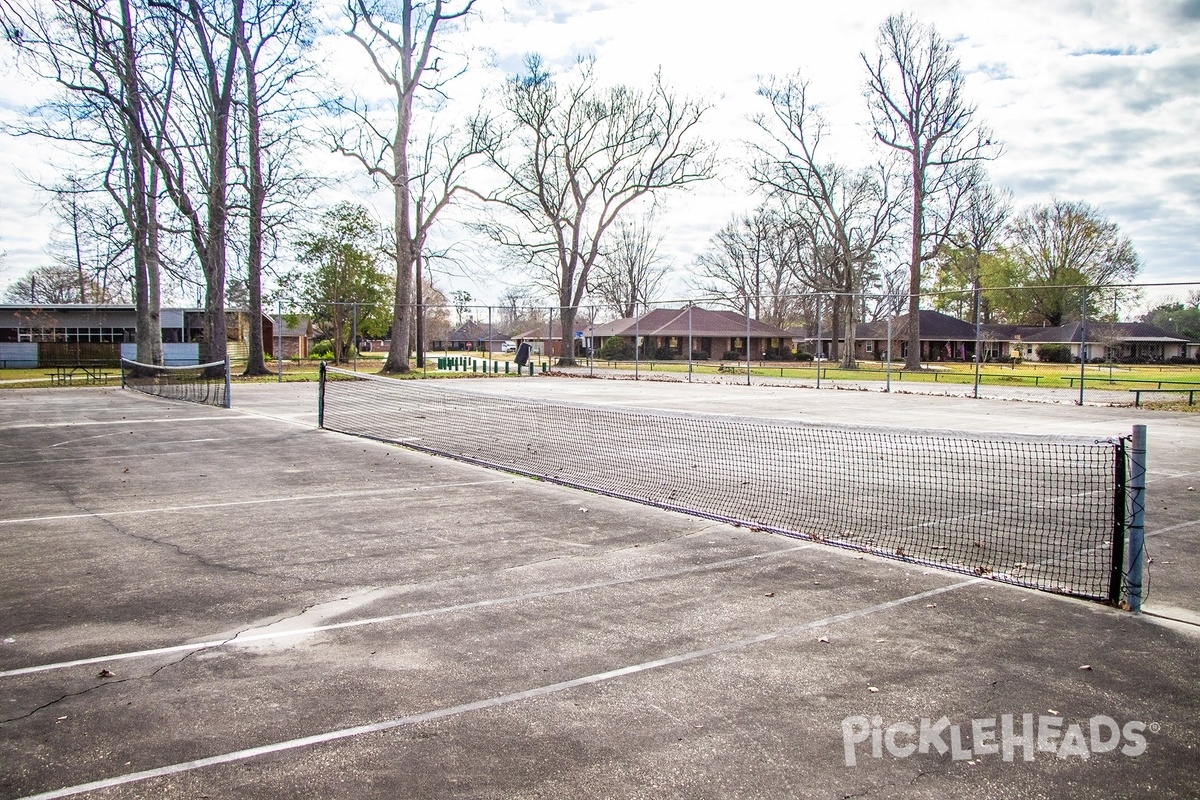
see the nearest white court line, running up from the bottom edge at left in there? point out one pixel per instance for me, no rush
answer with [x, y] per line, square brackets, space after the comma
[494, 702]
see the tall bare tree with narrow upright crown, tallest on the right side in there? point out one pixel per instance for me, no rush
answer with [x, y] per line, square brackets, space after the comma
[915, 93]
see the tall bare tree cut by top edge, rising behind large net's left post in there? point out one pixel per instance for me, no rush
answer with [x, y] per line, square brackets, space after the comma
[401, 41]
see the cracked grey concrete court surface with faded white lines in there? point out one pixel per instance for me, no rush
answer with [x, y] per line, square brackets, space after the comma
[485, 636]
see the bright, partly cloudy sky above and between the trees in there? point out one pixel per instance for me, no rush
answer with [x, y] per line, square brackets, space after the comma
[1094, 100]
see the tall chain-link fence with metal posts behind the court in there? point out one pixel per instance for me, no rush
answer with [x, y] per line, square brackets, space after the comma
[1041, 338]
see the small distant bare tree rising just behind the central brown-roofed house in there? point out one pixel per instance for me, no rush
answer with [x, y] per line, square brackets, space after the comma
[631, 270]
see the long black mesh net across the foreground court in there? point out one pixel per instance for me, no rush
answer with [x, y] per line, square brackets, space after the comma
[1042, 513]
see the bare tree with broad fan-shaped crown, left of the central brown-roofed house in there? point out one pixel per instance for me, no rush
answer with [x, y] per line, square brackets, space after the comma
[575, 157]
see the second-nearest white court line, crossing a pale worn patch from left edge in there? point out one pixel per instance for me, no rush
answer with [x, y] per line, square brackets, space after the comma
[394, 618]
